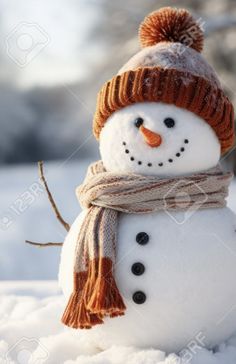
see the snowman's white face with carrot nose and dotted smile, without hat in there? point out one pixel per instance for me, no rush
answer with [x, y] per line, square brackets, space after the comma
[158, 139]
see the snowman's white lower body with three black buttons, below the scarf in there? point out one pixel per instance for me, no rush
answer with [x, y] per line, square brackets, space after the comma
[175, 274]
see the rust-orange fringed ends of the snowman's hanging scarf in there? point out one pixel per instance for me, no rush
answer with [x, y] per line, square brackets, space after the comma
[93, 298]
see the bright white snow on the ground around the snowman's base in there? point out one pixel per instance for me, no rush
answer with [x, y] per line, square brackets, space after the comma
[31, 332]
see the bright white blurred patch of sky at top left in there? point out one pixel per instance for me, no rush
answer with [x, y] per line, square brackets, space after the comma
[46, 42]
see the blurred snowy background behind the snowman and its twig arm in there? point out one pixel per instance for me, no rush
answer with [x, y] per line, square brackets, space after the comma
[54, 57]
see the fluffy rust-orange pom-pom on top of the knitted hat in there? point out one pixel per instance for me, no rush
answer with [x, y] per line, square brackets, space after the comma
[171, 25]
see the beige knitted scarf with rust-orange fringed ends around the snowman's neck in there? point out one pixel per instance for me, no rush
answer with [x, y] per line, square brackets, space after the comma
[104, 195]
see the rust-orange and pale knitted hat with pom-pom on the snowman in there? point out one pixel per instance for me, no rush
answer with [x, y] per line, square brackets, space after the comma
[169, 69]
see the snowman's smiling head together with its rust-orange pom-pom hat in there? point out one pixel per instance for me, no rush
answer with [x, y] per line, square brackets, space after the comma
[165, 112]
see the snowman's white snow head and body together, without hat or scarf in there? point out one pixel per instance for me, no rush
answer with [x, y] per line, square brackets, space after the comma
[175, 270]
